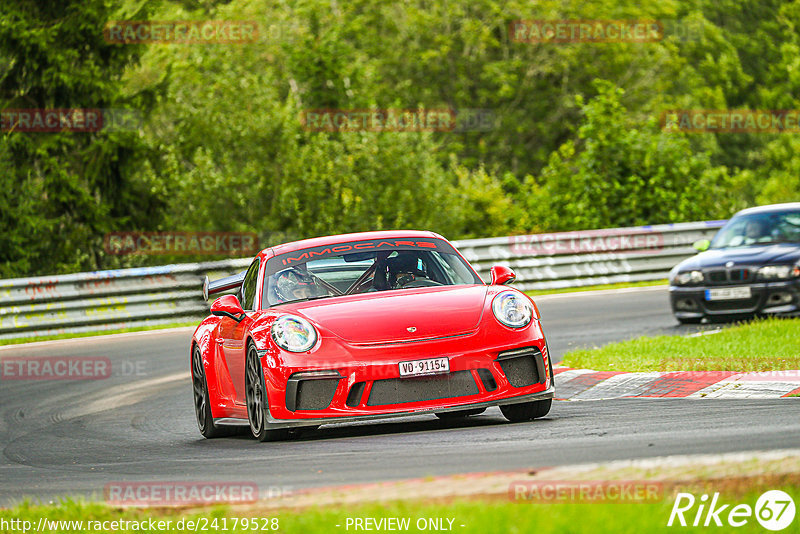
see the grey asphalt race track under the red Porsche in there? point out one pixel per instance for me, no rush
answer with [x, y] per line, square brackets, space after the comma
[74, 437]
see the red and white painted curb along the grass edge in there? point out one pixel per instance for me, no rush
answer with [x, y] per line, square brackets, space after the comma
[585, 384]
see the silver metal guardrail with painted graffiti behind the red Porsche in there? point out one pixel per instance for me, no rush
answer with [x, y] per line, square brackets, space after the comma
[126, 298]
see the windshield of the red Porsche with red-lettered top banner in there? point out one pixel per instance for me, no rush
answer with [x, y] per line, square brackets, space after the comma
[373, 266]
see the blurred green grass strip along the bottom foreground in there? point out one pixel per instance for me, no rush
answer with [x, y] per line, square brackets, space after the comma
[499, 516]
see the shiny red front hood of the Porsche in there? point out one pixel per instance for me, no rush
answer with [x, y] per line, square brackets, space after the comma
[399, 315]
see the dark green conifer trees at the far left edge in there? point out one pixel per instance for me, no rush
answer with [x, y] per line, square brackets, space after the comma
[61, 191]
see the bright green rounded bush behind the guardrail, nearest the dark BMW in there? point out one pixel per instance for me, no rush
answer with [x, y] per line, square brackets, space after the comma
[624, 173]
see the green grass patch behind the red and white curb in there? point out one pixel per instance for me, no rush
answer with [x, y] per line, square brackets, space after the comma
[762, 345]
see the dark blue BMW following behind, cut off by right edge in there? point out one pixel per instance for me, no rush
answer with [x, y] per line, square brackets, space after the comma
[751, 267]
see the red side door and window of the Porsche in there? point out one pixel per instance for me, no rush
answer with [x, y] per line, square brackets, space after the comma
[233, 333]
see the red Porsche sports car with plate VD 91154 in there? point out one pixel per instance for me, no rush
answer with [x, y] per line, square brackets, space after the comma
[360, 326]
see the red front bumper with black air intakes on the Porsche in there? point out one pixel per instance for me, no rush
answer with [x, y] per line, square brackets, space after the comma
[347, 382]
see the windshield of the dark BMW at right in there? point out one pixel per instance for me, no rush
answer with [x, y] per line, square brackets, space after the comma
[759, 229]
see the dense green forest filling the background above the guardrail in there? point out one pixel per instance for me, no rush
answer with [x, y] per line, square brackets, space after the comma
[576, 141]
